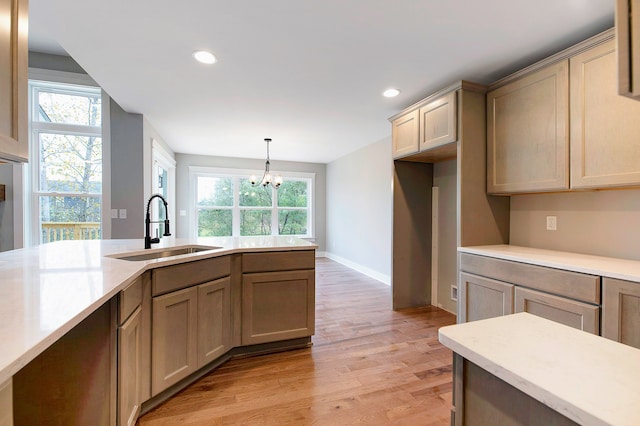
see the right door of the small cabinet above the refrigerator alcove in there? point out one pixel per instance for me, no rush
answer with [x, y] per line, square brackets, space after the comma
[438, 123]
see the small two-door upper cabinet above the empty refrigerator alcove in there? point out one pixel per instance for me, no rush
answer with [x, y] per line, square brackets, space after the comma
[426, 126]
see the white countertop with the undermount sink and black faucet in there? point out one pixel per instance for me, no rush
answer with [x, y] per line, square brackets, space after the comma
[47, 290]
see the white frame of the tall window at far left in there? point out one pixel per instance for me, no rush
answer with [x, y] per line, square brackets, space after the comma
[83, 84]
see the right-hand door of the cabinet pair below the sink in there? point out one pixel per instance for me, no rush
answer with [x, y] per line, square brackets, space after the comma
[214, 320]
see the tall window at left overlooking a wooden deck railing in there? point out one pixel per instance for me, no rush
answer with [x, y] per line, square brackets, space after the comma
[66, 161]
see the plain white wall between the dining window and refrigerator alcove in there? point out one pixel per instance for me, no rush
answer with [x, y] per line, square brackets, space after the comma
[359, 209]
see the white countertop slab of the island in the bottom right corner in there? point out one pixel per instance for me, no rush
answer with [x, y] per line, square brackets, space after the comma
[587, 378]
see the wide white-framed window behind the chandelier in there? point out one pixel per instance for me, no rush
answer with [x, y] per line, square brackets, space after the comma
[227, 205]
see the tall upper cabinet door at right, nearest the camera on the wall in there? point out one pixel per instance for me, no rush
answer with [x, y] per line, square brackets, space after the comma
[604, 126]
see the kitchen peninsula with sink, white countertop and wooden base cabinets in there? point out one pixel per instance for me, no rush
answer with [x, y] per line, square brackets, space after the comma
[125, 333]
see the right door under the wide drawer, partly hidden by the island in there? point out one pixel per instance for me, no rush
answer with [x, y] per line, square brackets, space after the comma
[559, 309]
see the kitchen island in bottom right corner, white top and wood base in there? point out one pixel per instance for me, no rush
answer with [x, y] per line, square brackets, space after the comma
[522, 369]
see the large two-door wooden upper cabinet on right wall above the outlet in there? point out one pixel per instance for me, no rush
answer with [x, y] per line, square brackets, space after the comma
[531, 145]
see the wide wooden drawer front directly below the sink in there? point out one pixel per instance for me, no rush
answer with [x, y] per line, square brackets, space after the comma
[184, 275]
